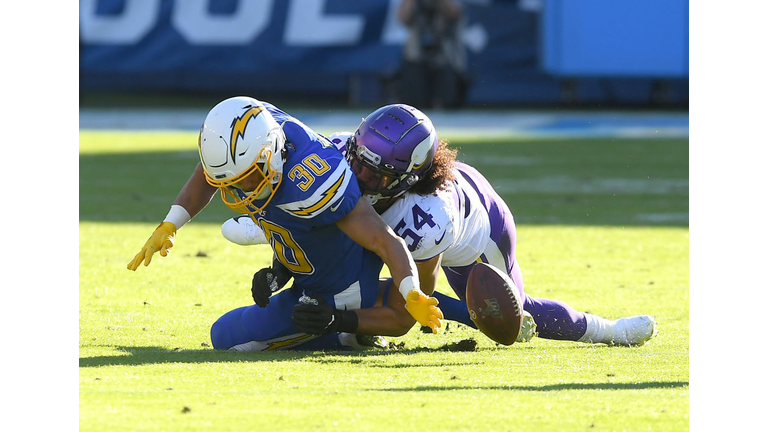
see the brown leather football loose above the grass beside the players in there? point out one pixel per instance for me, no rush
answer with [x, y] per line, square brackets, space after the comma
[494, 304]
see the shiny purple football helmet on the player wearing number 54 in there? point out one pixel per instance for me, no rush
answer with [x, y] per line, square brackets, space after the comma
[390, 151]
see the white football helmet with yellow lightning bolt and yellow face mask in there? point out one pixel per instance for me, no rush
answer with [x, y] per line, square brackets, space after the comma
[239, 138]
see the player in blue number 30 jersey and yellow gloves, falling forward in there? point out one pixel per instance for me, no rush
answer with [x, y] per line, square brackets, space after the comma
[299, 190]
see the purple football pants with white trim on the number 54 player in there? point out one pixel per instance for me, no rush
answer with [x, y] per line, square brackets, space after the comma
[554, 319]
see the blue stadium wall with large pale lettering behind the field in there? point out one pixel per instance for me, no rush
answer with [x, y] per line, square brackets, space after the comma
[521, 52]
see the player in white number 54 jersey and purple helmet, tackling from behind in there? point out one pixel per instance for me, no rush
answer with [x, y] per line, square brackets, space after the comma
[451, 218]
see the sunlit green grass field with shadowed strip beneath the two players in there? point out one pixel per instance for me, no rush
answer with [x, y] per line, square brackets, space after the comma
[602, 225]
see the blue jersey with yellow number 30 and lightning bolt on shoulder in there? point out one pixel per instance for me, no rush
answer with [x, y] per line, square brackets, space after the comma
[318, 189]
